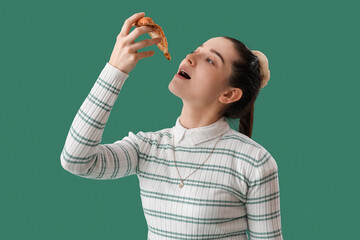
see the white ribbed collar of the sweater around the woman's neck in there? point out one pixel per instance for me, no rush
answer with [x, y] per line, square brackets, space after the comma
[199, 134]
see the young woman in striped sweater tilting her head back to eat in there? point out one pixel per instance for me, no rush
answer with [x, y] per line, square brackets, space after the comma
[199, 179]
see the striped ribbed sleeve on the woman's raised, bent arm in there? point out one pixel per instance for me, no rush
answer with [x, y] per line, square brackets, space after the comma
[82, 154]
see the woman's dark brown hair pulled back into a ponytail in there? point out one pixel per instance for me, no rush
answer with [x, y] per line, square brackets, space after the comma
[246, 76]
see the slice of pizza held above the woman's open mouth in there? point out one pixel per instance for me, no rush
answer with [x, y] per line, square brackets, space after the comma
[158, 32]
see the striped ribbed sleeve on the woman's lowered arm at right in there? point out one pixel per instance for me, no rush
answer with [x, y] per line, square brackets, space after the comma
[263, 199]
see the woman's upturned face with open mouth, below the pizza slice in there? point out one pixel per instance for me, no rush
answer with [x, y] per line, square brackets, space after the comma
[209, 68]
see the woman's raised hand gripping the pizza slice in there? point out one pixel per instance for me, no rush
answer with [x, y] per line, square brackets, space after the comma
[124, 55]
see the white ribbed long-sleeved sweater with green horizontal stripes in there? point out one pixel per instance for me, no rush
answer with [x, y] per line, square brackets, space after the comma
[234, 195]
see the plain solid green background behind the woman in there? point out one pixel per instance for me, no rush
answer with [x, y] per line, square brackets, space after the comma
[307, 116]
